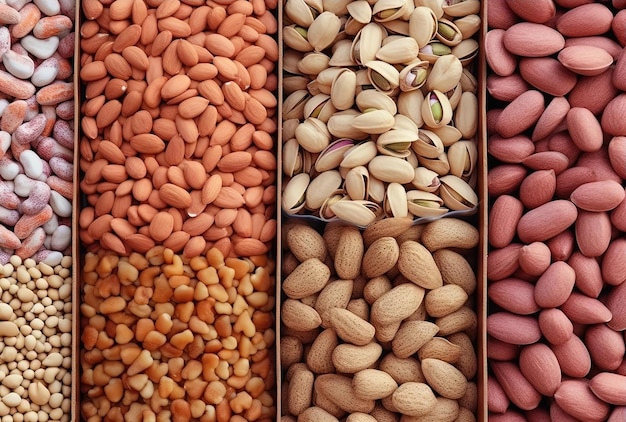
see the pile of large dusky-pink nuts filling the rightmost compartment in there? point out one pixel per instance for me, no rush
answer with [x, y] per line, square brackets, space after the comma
[557, 222]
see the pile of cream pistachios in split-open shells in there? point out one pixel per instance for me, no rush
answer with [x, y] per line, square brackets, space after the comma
[380, 111]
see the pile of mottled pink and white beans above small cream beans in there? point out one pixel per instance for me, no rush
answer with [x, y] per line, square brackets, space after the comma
[36, 129]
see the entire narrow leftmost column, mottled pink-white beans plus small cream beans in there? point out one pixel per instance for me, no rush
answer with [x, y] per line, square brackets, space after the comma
[36, 191]
